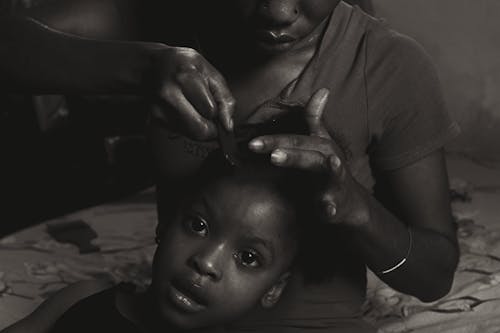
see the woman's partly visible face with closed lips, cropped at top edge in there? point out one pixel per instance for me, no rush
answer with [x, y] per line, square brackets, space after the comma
[281, 25]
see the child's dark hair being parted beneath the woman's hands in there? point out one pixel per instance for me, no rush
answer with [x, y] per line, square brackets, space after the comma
[315, 238]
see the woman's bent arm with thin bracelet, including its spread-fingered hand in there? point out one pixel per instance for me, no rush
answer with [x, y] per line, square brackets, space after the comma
[416, 224]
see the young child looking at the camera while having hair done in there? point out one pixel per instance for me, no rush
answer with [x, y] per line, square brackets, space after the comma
[229, 248]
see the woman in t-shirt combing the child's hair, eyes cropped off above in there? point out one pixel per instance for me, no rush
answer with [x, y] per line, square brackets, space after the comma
[240, 62]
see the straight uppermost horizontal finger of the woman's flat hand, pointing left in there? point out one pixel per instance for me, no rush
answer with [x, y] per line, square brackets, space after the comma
[268, 143]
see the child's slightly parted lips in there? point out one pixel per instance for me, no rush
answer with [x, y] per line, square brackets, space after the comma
[186, 298]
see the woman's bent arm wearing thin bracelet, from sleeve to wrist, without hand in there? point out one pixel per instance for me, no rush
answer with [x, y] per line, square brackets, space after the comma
[419, 195]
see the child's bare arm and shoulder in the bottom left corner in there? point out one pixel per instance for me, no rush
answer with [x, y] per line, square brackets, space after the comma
[43, 318]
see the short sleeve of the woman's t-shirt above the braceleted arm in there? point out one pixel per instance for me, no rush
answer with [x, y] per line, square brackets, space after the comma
[407, 115]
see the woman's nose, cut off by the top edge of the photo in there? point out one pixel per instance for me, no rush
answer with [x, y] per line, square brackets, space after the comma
[279, 12]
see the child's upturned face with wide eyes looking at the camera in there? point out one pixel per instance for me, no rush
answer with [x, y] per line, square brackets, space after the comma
[226, 252]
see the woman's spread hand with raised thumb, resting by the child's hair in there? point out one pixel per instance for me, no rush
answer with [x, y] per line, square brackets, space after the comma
[342, 199]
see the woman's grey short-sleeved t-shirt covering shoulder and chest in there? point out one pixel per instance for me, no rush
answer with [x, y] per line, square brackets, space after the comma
[386, 104]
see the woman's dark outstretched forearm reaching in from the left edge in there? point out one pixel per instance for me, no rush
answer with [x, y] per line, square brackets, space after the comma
[36, 59]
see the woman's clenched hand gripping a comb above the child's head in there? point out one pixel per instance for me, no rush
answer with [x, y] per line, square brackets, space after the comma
[191, 92]
